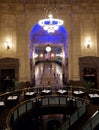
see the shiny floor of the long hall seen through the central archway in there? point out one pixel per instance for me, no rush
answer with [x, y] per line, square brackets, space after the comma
[48, 74]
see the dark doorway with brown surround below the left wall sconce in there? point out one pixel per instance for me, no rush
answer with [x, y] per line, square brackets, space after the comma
[9, 68]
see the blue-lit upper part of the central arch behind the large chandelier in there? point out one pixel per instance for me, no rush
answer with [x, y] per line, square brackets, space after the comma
[40, 36]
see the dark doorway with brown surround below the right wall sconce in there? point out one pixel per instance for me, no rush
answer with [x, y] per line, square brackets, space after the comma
[89, 70]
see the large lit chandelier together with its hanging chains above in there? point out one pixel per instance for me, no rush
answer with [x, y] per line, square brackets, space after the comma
[50, 24]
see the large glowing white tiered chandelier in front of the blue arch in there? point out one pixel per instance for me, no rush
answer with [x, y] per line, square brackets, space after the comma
[50, 24]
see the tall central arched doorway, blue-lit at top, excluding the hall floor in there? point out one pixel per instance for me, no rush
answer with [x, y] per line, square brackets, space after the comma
[39, 40]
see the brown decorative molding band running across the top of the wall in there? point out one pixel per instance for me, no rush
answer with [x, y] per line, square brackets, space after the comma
[76, 6]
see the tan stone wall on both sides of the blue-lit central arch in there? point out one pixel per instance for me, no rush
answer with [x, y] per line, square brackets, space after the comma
[17, 20]
